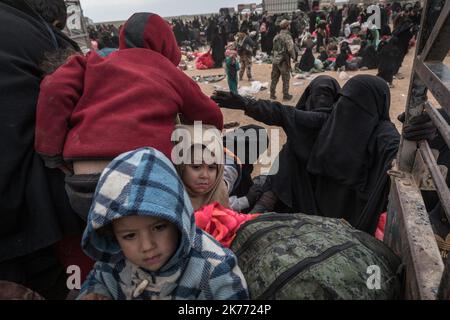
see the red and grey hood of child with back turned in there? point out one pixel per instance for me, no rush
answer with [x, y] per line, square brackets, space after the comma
[150, 31]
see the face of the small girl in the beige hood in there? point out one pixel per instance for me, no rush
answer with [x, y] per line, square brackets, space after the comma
[200, 178]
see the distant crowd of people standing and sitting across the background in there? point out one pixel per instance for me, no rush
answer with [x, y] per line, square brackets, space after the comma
[333, 38]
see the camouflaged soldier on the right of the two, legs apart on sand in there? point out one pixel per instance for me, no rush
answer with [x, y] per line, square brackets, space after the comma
[283, 52]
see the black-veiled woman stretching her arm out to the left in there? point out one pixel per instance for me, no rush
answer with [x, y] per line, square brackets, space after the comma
[291, 183]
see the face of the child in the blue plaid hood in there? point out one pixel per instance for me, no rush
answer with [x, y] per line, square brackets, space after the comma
[148, 242]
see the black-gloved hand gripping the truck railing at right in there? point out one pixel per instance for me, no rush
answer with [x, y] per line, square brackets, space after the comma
[418, 128]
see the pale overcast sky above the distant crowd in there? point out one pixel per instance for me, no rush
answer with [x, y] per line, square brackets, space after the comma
[111, 10]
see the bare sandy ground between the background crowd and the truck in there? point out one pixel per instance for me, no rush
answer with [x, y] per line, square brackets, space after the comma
[261, 72]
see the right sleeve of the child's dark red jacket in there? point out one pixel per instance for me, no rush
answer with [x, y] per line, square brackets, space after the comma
[199, 107]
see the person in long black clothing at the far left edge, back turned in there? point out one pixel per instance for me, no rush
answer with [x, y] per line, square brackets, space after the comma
[35, 211]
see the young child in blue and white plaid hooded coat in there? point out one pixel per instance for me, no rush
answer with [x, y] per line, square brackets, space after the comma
[142, 233]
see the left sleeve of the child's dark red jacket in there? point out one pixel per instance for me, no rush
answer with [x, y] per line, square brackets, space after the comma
[58, 97]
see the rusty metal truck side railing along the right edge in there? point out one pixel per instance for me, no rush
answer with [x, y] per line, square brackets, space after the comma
[408, 231]
